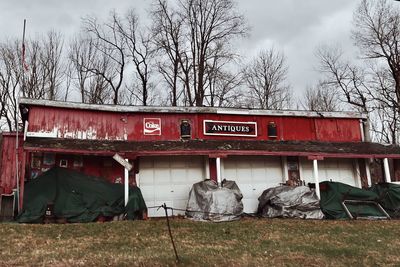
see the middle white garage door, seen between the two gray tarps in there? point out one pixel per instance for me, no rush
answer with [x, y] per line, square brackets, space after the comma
[253, 174]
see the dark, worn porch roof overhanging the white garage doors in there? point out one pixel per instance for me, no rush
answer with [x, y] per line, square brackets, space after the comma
[219, 147]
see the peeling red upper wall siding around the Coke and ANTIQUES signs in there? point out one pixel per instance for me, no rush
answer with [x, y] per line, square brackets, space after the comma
[91, 124]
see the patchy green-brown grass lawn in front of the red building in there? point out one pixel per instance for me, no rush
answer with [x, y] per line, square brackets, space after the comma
[248, 242]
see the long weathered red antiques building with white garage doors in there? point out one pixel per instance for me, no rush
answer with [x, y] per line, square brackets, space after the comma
[171, 148]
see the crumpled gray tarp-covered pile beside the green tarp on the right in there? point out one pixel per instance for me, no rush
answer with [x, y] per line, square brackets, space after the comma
[289, 202]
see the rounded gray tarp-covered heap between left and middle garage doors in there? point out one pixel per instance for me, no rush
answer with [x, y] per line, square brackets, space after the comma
[208, 202]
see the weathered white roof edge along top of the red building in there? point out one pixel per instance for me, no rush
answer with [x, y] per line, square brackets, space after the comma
[230, 111]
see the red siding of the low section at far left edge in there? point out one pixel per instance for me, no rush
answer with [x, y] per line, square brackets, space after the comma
[8, 180]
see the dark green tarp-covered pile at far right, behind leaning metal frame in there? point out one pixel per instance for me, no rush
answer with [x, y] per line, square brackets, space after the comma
[334, 195]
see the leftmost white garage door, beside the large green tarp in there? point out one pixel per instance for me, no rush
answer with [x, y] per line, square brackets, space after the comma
[168, 180]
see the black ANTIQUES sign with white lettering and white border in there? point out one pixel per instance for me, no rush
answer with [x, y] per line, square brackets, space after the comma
[230, 128]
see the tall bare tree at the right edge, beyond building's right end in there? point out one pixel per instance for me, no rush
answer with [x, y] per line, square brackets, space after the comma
[377, 35]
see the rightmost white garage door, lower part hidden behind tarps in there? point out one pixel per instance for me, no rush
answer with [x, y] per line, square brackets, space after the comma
[337, 170]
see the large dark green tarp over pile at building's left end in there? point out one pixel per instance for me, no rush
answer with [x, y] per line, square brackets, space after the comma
[77, 197]
